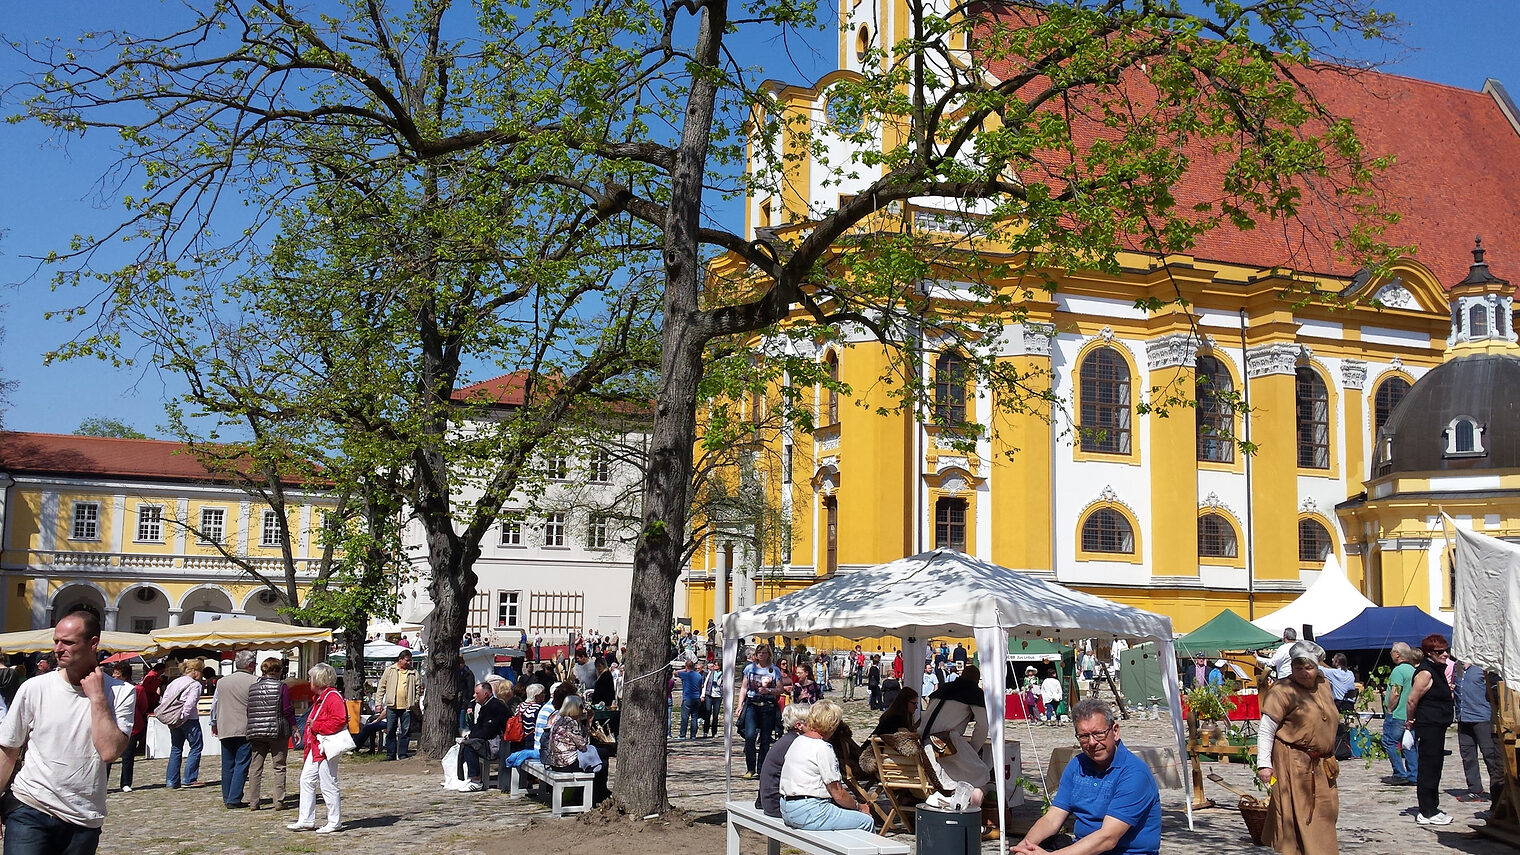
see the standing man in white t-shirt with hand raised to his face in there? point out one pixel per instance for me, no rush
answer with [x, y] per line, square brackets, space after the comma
[74, 722]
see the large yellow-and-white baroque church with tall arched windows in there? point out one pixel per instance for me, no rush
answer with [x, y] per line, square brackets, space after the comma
[1157, 510]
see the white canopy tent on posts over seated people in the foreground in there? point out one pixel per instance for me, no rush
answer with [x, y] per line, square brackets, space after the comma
[951, 594]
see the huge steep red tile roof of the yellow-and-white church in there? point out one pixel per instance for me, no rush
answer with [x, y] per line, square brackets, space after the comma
[1457, 174]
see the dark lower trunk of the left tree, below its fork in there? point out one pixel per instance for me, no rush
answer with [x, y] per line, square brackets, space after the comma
[452, 590]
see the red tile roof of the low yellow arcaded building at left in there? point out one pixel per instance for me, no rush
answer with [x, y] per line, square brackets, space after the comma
[59, 454]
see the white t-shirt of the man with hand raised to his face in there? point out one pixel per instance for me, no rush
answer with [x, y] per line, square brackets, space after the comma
[63, 775]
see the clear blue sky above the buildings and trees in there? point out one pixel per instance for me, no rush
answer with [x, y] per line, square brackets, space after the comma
[54, 192]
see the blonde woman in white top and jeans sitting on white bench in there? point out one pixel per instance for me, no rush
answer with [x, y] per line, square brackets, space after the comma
[814, 793]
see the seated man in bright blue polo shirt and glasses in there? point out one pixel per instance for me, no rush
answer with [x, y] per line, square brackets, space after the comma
[1107, 790]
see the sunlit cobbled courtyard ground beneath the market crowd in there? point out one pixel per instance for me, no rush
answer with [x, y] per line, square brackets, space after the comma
[401, 807]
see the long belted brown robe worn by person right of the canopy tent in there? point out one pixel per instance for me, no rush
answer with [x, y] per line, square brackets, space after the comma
[1305, 803]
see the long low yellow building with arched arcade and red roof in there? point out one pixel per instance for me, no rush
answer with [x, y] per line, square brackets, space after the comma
[130, 530]
